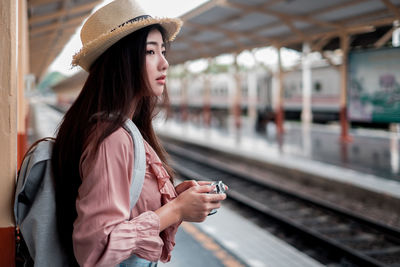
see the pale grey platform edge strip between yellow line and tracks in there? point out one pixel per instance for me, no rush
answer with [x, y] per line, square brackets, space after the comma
[249, 242]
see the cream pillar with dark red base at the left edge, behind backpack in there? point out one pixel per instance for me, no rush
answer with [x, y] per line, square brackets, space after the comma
[8, 127]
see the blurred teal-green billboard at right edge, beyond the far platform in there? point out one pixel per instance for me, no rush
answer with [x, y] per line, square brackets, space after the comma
[374, 85]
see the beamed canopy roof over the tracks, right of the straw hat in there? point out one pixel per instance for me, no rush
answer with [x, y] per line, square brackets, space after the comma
[227, 26]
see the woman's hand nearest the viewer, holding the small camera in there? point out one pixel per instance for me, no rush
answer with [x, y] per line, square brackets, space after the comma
[194, 204]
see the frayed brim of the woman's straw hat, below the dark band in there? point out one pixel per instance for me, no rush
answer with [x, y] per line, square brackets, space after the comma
[92, 50]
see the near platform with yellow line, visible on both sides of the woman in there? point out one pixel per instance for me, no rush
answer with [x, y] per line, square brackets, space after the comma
[224, 239]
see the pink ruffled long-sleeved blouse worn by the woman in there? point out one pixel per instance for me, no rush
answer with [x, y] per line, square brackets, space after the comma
[105, 231]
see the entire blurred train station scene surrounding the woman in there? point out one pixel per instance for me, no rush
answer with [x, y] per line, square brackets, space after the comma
[295, 104]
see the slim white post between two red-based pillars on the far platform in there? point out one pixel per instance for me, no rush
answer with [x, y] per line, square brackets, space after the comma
[306, 114]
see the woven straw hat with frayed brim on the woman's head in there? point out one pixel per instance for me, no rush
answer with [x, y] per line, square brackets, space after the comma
[111, 23]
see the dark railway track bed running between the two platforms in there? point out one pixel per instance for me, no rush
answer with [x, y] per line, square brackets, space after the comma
[362, 241]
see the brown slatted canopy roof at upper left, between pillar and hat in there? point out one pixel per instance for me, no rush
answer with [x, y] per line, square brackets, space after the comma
[51, 24]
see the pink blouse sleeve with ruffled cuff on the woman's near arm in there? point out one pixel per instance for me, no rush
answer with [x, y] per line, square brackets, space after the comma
[103, 234]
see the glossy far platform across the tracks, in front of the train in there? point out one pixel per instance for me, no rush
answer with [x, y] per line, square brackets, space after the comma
[370, 161]
